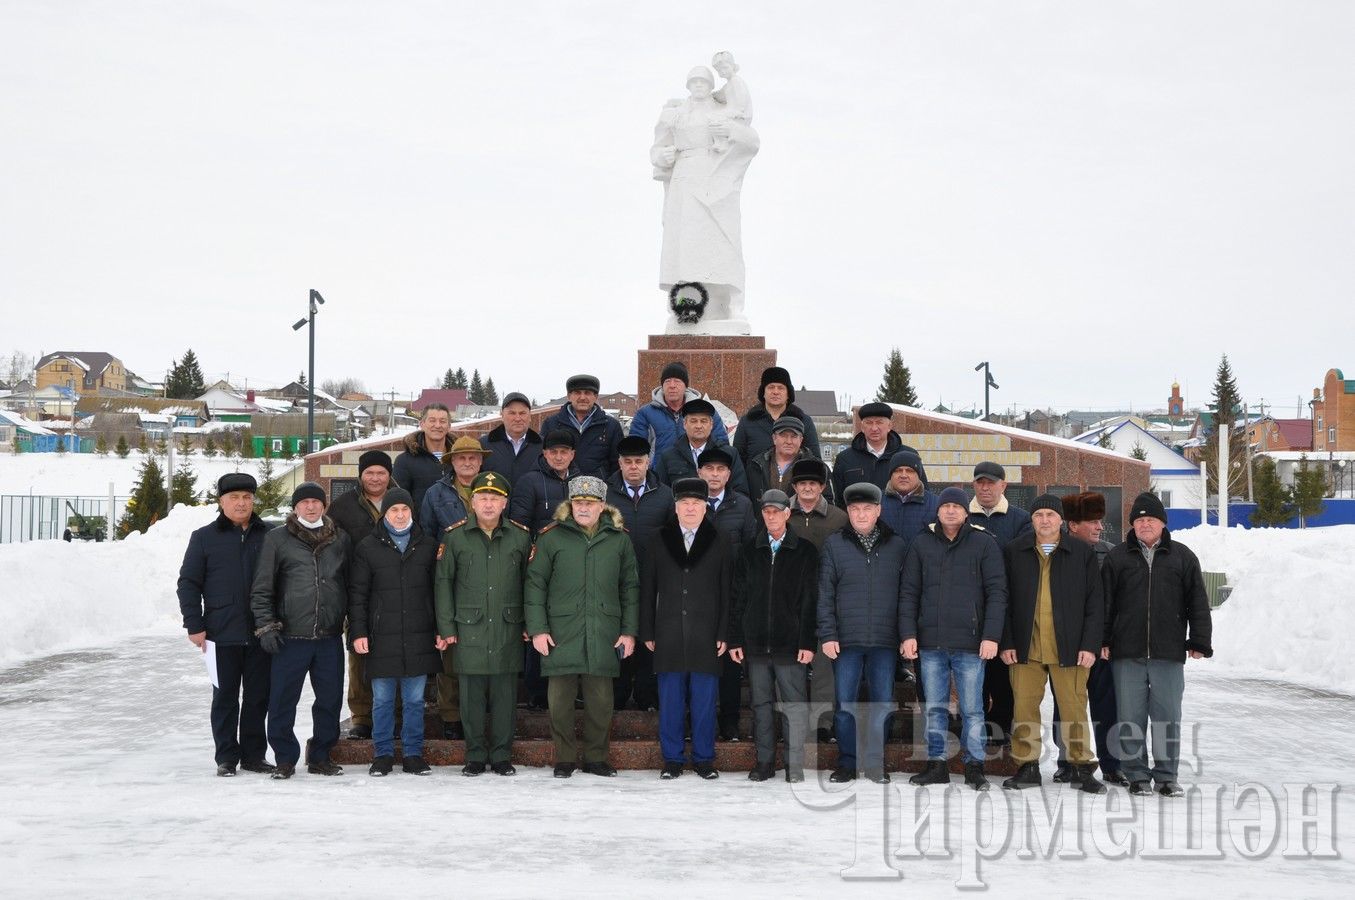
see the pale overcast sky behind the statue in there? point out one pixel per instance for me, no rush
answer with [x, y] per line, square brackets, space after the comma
[1096, 197]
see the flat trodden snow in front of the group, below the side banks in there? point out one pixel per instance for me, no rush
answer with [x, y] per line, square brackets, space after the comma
[109, 787]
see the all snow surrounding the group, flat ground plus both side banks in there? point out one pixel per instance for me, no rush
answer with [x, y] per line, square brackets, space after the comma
[108, 773]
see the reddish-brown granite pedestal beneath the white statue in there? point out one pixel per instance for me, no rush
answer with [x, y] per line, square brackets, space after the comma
[726, 367]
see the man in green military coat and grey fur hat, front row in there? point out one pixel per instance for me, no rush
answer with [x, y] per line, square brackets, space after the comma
[583, 616]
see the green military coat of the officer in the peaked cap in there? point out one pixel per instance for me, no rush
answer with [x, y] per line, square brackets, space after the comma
[479, 596]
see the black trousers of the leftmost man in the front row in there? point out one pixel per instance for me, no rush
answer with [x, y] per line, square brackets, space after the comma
[238, 727]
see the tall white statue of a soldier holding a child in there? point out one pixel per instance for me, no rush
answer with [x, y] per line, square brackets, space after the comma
[703, 148]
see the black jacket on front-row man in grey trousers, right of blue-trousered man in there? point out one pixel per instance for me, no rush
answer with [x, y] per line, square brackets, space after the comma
[774, 607]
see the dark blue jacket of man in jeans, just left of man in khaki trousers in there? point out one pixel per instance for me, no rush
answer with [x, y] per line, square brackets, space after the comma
[955, 593]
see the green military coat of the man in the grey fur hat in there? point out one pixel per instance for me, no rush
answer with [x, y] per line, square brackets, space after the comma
[585, 593]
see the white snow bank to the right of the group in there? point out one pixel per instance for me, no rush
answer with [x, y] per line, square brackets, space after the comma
[1291, 609]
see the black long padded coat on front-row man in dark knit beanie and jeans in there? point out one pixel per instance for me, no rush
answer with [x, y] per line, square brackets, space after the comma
[391, 604]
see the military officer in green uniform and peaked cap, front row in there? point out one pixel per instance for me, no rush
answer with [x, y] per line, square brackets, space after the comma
[479, 596]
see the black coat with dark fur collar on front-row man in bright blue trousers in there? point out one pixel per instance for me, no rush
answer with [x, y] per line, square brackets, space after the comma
[685, 598]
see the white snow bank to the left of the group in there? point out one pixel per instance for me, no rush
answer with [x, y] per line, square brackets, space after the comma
[58, 596]
